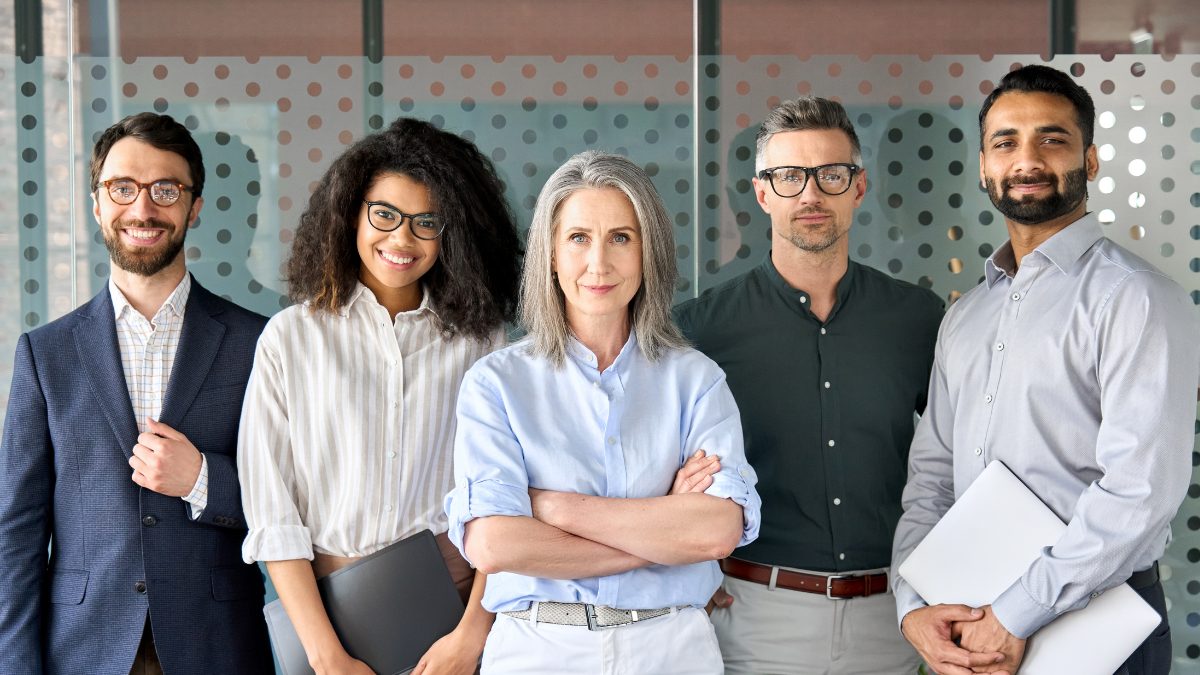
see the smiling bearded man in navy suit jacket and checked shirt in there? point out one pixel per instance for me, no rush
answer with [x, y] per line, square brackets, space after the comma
[121, 516]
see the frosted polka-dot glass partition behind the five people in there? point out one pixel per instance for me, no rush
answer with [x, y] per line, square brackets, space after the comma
[271, 127]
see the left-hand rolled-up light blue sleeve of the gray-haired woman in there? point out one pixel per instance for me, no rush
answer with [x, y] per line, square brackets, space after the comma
[490, 474]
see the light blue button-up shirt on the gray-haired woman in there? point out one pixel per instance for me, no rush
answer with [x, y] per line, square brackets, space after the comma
[623, 433]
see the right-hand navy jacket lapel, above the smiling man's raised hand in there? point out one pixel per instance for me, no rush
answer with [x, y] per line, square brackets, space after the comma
[199, 345]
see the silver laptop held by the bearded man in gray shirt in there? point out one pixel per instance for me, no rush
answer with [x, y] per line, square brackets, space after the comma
[987, 541]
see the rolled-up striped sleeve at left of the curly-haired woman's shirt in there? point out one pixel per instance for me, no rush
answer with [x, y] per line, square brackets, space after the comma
[266, 465]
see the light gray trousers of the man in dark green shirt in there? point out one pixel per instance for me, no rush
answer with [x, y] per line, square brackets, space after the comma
[793, 632]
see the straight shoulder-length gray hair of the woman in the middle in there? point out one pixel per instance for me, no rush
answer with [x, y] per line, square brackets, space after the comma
[542, 310]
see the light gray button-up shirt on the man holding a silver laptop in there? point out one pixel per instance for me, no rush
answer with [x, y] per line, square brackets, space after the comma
[1079, 372]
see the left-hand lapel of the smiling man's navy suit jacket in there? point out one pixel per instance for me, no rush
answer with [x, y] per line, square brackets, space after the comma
[101, 360]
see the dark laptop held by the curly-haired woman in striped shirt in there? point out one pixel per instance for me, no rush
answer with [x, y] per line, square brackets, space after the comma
[388, 608]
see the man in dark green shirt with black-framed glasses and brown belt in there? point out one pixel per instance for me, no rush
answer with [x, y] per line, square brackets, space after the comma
[829, 361]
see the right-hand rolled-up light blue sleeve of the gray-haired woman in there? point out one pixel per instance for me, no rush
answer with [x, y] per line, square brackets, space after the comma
[716, 427]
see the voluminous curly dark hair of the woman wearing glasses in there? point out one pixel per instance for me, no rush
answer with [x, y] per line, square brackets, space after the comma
[475, 282]
